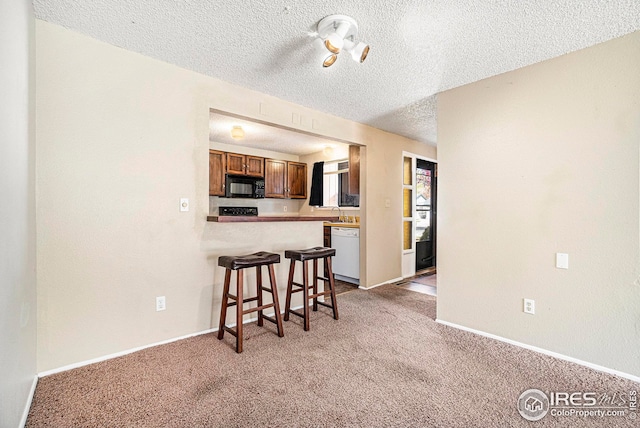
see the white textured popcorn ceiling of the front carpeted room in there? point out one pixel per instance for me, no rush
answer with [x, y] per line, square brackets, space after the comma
[418, 47]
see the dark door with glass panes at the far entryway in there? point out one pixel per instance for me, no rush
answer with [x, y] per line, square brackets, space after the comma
[426, 184]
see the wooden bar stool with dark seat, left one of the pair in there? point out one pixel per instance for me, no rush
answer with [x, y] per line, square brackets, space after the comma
[239, 263]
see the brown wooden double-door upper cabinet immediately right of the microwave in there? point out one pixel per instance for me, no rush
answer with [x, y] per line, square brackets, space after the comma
[284, 179]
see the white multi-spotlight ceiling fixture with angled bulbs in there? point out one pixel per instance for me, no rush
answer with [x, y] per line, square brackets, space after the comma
[338, 33]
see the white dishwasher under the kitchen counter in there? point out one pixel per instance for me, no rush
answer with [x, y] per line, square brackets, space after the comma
[346, 263]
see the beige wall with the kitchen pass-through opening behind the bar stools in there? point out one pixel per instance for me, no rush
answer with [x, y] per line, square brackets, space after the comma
[121, 138]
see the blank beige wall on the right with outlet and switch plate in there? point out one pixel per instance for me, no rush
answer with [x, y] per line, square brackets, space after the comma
[534, 162]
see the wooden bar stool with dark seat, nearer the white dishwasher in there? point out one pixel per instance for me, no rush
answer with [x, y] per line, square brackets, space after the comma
[305, 256]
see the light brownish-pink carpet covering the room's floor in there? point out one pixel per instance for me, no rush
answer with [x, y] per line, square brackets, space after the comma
[384, 363]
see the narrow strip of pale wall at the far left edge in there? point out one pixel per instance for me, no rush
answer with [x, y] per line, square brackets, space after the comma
[17, 212]
